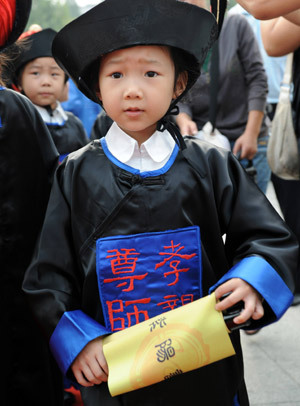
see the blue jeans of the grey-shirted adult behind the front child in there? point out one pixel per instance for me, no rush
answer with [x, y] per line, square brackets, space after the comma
[260, 163]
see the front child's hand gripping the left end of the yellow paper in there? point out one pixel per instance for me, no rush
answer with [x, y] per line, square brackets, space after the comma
[90, 367]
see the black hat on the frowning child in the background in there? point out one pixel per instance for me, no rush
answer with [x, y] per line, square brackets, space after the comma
[38, 45]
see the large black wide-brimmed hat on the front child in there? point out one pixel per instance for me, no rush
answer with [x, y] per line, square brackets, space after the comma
[117, 24]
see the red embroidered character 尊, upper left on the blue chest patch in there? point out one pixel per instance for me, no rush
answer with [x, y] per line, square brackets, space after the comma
[124, 262]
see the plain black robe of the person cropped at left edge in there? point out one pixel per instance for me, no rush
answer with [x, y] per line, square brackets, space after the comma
[28, 158]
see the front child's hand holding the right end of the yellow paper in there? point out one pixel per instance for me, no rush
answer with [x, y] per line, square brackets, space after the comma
[240, 290]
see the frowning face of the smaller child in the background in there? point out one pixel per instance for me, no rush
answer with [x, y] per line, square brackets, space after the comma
[43, 81]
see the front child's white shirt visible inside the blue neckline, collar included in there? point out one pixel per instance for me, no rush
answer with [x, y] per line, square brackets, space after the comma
[153, 154]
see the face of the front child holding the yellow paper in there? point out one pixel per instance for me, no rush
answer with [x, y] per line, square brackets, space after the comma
[136, 88]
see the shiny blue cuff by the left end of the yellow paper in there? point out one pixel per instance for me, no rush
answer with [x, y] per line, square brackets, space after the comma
[73, 332]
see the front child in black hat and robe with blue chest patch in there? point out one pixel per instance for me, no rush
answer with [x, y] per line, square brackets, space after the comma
[122, 231]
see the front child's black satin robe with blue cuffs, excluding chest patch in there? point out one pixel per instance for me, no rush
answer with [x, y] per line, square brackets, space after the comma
[94, 197]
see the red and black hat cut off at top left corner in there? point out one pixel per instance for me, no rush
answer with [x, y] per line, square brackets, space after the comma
[14, 15]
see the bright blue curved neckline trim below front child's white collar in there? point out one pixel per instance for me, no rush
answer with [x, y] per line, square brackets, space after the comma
[134, 171]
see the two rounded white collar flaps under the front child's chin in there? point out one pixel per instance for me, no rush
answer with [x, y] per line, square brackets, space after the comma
[159, 146]
